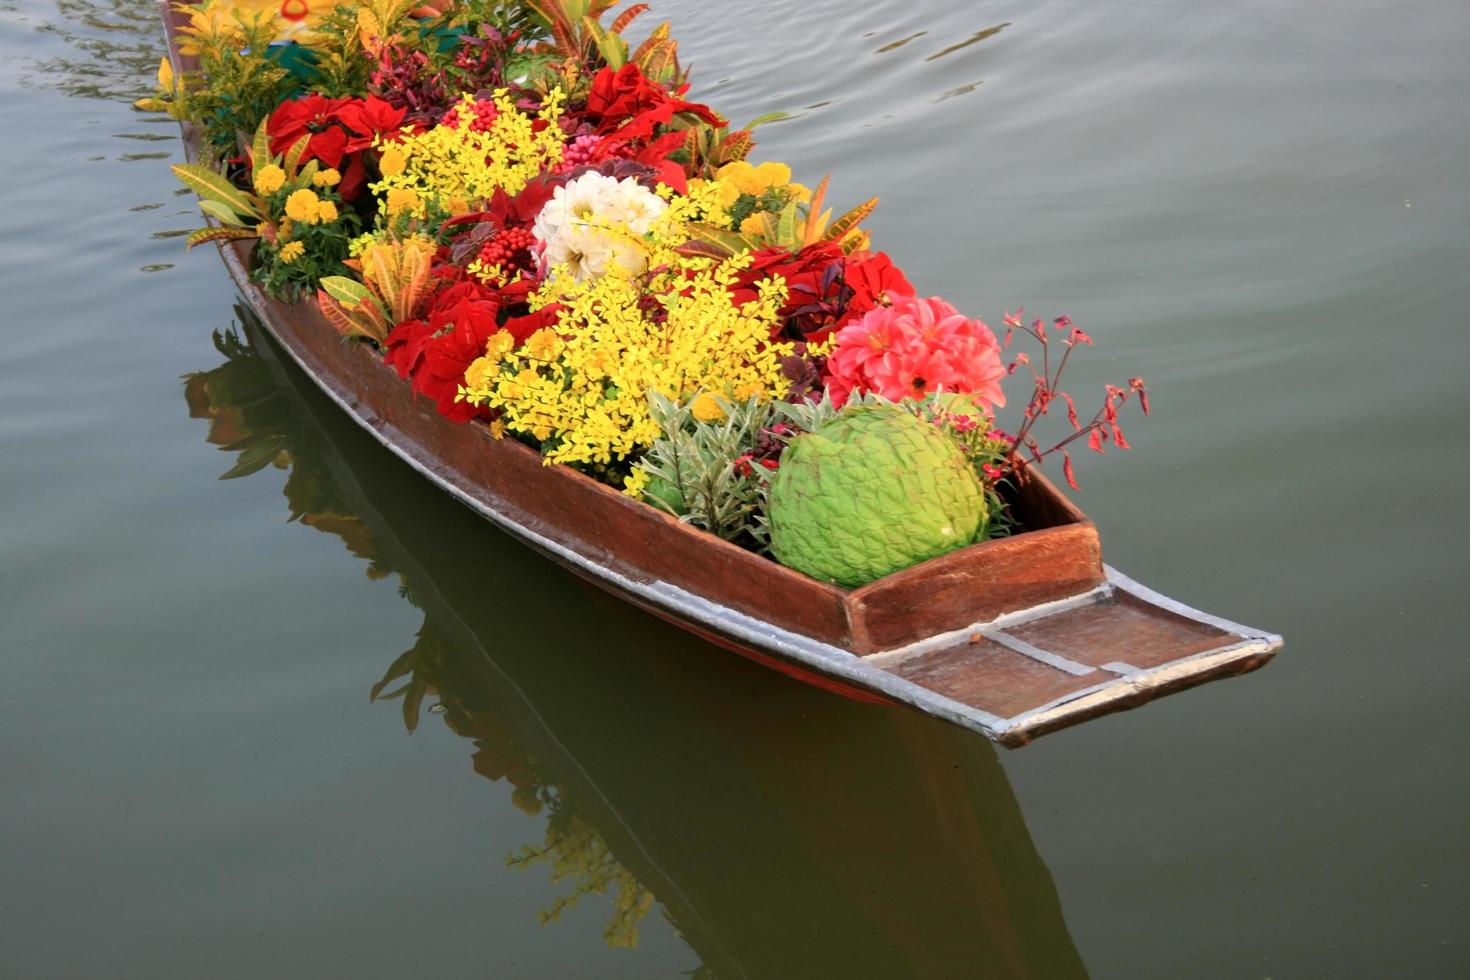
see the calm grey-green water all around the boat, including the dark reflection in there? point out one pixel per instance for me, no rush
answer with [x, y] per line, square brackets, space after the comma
[1261, 208]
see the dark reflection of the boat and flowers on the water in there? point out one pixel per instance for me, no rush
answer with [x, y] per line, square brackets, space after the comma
[781, 829]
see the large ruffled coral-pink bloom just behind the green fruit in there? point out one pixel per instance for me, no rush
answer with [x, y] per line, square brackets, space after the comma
[914, 347]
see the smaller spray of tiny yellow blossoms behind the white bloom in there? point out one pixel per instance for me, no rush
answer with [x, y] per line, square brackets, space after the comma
[459, 168]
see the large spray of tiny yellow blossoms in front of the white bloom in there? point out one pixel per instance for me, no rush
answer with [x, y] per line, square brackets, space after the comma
[583, 390]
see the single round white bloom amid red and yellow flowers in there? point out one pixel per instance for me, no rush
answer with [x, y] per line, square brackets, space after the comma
[596, 223]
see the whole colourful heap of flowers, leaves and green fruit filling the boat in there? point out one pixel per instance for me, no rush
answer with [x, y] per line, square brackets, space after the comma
[542, 233]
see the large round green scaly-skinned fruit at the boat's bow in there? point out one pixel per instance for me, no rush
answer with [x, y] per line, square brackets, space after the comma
[870, 493]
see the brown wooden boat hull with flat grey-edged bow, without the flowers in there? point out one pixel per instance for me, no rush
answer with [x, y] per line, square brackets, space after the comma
[1012, 638]
